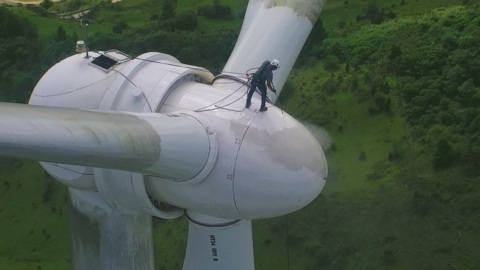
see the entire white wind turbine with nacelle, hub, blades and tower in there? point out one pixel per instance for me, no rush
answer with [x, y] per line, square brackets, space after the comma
[148, 136]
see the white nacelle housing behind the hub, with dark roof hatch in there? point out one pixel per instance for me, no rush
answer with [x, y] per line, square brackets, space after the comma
[75, 82]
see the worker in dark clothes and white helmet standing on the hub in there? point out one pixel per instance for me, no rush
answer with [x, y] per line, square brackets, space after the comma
[263, 79]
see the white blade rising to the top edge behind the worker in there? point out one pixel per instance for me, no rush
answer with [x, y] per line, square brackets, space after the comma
[273, 29]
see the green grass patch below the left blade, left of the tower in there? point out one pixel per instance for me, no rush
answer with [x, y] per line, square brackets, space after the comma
[33, 214]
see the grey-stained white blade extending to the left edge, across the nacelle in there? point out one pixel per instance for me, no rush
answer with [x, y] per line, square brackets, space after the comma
[150, 144]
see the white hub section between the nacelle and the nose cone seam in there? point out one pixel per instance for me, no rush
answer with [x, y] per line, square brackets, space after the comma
[213, 195]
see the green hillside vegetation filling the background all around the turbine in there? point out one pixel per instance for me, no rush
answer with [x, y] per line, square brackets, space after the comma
[395, 83]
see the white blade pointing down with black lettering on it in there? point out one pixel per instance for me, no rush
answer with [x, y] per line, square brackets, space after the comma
[227, 247]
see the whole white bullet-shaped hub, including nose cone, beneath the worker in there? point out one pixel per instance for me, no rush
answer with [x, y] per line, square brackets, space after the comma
[268, 164]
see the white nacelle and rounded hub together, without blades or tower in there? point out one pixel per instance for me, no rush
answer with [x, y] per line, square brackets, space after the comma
[261, 164]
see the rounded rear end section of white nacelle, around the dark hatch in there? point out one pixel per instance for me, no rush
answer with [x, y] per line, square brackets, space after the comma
[73, 83]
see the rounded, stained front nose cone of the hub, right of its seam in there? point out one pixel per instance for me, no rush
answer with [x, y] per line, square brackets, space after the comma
[280, 167]
